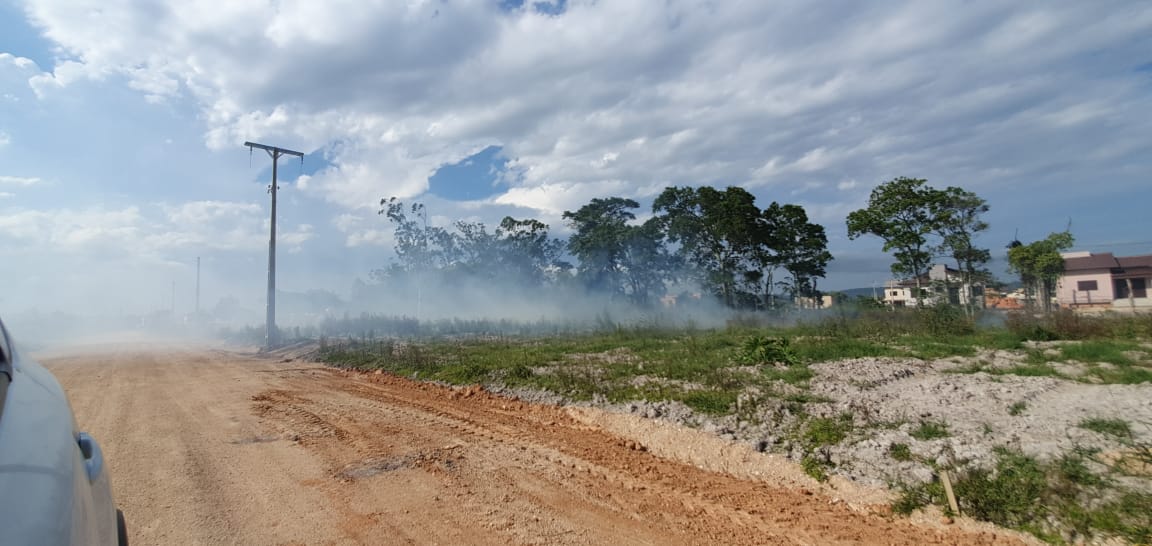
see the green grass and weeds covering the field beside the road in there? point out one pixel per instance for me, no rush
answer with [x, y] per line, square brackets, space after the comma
[709, 370]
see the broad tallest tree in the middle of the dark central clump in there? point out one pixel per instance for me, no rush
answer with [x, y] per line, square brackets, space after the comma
[719, 234]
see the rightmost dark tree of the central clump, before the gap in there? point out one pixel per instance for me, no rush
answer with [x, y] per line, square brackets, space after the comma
[798, 246]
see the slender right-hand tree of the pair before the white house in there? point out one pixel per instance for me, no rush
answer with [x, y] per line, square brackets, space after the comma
[959, 223]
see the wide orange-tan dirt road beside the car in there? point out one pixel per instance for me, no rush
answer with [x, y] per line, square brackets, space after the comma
[215, 448]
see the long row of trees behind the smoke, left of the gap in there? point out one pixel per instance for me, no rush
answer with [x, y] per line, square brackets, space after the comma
[718, 239]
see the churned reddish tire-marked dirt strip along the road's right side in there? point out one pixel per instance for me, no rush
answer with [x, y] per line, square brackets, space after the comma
[529, 450]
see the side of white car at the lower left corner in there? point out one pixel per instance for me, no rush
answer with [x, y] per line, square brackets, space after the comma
[54, 480]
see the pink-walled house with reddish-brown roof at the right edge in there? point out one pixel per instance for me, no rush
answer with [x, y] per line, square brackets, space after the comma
[1105, 282]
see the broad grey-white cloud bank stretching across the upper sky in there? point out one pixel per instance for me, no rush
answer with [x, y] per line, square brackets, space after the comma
[732, 93]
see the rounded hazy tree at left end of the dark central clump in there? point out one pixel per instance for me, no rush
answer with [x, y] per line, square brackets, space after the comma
[616, 256]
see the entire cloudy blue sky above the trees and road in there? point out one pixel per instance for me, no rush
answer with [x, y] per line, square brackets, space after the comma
[123, 126]
